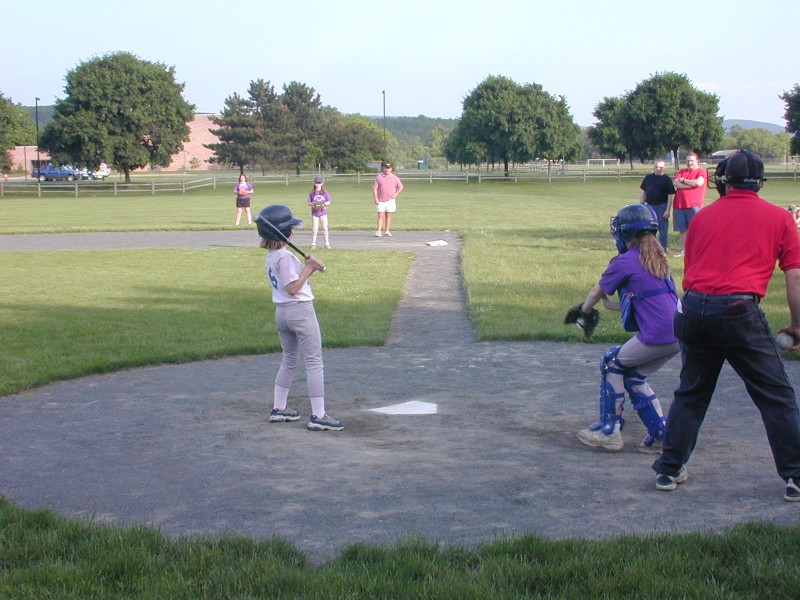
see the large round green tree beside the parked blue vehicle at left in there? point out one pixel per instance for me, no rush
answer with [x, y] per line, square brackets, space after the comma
[121, 110]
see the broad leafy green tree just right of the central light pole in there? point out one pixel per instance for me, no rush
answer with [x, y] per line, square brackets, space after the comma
[508, 122]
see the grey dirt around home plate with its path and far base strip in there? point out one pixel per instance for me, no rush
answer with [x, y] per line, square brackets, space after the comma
[188, 449]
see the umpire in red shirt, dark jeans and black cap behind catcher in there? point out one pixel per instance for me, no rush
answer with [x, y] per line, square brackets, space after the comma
[731, 250]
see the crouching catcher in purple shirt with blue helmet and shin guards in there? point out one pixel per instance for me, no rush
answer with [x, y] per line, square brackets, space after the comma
[640, 271]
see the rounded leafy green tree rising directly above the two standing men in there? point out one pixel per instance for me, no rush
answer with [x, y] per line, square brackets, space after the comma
[666, 112]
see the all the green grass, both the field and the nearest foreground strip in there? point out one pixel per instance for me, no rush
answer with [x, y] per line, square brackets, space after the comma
[531, 249]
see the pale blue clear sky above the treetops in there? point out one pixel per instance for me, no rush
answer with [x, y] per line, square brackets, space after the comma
[426, 55]
